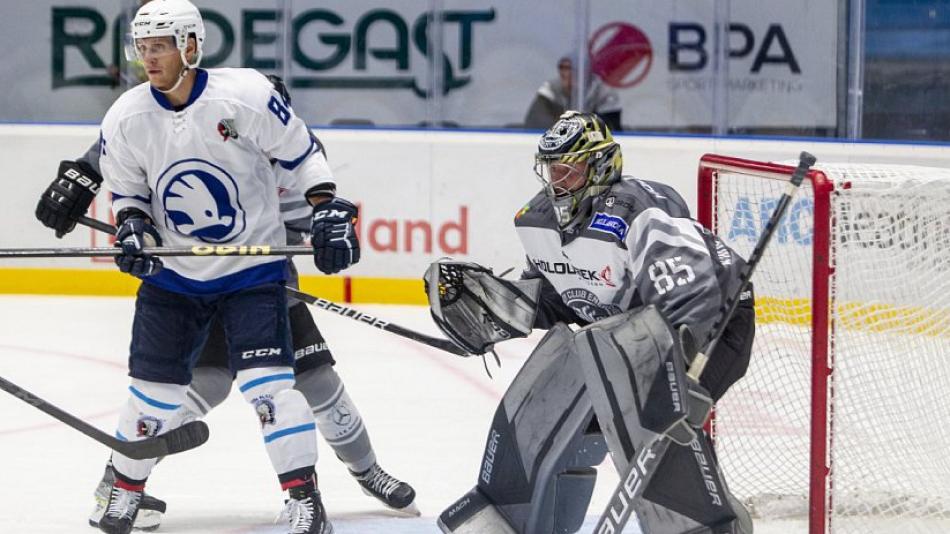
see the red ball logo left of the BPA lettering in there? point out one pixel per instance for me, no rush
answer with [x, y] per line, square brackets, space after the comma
[620, 54]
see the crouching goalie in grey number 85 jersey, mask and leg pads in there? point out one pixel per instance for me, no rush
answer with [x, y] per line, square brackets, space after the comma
[620, 258]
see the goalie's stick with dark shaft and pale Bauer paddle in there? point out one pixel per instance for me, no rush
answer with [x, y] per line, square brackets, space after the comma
[642, 468]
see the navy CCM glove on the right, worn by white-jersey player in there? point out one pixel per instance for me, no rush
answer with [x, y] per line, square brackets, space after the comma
[333, 235]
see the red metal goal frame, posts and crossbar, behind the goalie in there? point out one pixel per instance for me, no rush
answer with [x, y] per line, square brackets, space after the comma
[822, 322]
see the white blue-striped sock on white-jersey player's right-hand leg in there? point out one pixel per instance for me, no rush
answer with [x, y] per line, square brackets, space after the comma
[286, 421]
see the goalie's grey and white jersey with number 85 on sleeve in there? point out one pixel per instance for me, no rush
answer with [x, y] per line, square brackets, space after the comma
[636, 246]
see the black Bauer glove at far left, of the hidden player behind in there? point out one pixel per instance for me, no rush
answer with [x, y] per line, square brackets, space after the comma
[68, 196]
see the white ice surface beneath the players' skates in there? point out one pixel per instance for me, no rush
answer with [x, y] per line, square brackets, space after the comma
[427, 413]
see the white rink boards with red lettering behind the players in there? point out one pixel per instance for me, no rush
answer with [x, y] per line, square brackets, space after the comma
[466, 185]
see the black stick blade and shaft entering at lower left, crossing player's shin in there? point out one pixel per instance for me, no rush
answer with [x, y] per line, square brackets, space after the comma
[183, 438]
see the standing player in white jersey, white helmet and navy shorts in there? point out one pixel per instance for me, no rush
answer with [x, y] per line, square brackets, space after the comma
[186, 157]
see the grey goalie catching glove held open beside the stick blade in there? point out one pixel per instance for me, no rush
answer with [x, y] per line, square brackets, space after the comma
[476, 309]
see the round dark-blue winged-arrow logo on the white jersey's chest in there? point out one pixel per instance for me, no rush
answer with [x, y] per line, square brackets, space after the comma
[200, 200]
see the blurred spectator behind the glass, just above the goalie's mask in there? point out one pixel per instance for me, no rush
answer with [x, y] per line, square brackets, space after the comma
[556, 96]
